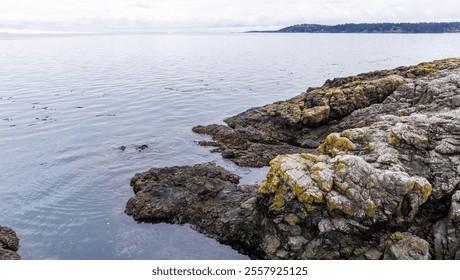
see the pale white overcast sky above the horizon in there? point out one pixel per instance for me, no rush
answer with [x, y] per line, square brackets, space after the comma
[119, 15]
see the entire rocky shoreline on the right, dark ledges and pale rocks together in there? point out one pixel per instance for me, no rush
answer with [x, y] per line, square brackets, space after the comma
[364, 167]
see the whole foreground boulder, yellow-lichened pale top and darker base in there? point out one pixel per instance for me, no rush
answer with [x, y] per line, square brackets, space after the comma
[341, 207]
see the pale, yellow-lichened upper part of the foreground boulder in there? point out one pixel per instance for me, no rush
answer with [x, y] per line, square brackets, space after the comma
[347, 184]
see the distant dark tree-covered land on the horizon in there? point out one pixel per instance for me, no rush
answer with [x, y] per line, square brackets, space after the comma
[422, 27]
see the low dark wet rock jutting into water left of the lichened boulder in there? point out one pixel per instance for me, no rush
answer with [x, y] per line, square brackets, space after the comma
[205, 195]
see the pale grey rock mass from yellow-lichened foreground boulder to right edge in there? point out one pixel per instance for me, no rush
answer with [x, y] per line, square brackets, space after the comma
[393, 173]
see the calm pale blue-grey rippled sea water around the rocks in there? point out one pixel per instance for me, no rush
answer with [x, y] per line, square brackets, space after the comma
[68, 102]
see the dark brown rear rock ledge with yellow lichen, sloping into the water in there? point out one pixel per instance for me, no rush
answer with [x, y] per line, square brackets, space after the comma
[297, 125]
